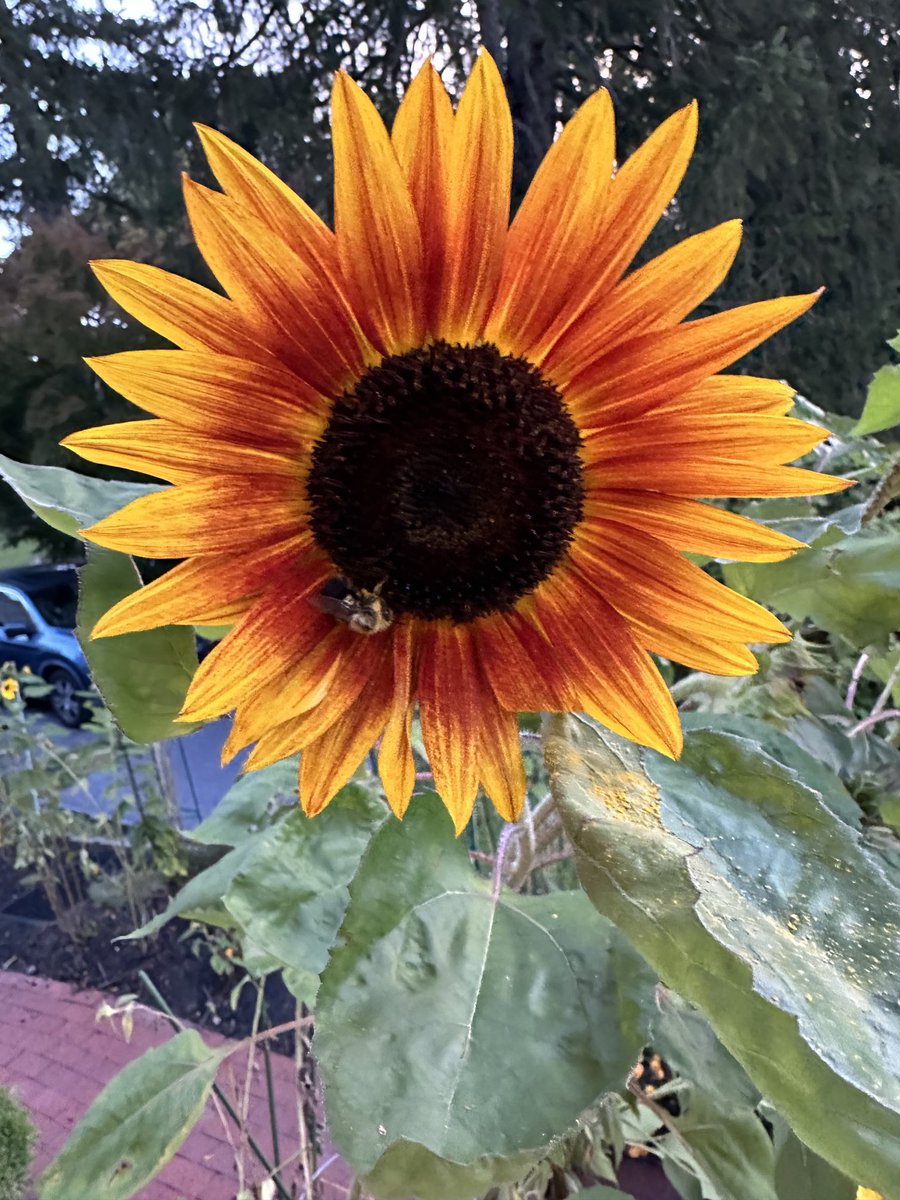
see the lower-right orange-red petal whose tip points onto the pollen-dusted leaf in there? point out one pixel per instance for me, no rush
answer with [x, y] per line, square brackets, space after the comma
[616, 681]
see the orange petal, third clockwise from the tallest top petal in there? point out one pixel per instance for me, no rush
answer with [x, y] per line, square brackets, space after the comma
[657, 297]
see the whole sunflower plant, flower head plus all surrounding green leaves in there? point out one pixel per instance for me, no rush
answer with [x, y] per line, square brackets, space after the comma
[574, 869]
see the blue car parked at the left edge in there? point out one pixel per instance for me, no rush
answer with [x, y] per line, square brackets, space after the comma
[38, 621]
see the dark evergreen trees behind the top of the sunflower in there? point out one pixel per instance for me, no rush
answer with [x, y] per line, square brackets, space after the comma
[800, 136]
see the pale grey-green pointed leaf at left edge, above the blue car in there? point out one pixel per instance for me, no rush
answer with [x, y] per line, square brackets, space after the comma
[65, 500]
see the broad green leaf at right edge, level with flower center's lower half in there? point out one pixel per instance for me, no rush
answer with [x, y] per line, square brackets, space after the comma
[849, 587]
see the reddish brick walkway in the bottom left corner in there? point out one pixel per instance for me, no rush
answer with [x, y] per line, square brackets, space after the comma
[58, 1058]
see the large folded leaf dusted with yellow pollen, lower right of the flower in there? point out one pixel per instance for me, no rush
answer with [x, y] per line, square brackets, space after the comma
[755, 903]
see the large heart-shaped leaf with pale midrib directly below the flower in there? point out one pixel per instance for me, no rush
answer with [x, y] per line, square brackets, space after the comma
[447, 1010]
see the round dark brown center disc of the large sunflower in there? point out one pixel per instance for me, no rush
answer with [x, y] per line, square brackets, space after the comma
[451, 478]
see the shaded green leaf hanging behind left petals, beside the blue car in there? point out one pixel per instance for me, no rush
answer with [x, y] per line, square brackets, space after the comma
[142, 677]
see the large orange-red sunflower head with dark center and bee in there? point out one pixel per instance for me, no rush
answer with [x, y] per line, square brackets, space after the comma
[434, 459]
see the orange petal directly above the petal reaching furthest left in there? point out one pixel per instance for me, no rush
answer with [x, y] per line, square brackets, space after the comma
[215, 394]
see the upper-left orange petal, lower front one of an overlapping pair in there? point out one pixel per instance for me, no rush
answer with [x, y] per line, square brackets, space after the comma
[291, 308]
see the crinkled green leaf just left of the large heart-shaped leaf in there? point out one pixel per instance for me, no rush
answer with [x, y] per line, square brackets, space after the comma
[291, 890]
